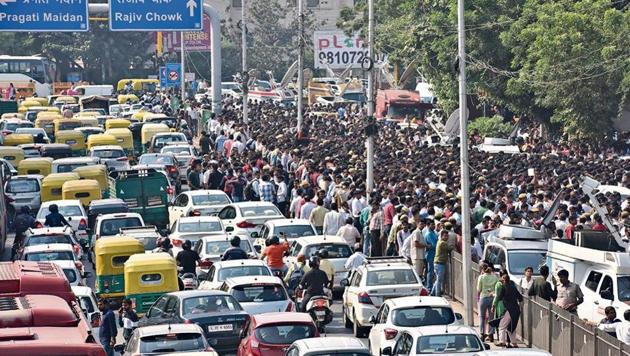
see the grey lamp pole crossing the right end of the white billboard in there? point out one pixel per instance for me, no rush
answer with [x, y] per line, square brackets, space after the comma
[370, 101]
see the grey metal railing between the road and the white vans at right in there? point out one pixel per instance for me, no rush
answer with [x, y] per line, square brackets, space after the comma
[543, 325]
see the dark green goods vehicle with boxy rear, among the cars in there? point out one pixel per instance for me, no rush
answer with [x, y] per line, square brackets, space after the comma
[146, 191]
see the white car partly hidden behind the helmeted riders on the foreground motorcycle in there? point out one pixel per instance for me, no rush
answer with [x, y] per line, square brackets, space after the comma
[338, 253]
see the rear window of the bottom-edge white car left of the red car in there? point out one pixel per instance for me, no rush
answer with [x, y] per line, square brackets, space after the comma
[172, 343]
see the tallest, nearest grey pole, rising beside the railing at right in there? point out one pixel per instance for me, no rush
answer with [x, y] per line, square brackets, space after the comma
[463, 146]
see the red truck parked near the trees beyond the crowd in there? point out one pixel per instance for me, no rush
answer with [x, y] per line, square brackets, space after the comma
[396, 104]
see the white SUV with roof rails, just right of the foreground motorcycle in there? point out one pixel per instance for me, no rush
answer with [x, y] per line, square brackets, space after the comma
[370, 285]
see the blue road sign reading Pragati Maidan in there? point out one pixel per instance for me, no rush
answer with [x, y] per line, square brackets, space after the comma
[43, 15]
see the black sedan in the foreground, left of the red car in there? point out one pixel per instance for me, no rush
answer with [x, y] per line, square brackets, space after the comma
[218, 313]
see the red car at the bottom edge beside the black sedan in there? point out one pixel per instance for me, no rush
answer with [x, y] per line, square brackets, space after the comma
[270, 334]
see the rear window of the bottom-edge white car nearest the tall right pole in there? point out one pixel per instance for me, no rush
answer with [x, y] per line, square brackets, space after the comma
[448, 344]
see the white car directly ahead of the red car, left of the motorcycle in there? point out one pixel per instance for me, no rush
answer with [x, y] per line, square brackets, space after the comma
[259, 294]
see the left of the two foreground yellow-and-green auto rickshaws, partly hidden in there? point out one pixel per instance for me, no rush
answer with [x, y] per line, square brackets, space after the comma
[110, 256]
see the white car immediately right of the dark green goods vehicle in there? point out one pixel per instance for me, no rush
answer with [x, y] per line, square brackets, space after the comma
[198, 203]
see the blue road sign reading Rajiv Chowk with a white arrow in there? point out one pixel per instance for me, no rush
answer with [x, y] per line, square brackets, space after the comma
[155, 15]
